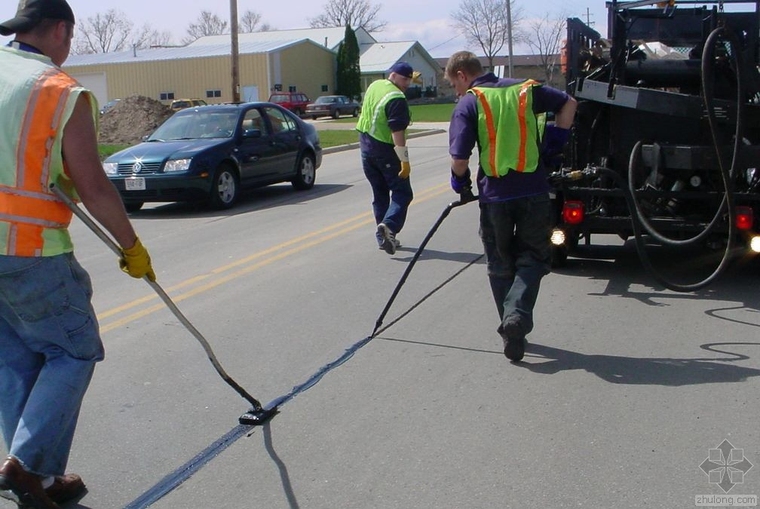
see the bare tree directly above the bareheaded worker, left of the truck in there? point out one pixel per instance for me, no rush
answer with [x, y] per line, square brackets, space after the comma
[485, 23]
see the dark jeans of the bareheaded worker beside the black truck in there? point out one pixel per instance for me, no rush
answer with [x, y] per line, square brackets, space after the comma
[515, 236]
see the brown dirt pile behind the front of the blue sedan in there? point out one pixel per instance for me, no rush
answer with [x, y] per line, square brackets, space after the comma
[131, 119]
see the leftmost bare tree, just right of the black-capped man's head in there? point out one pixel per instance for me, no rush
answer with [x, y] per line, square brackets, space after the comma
[103, 33]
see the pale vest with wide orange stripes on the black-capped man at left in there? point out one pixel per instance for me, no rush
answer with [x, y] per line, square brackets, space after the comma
[36, 100]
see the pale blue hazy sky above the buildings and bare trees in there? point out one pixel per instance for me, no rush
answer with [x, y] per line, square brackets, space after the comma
[426, 21]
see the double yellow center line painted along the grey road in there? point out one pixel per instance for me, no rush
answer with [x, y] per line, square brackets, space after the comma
[321, 235]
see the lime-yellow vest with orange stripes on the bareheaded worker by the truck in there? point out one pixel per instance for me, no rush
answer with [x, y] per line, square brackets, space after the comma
[508, 130]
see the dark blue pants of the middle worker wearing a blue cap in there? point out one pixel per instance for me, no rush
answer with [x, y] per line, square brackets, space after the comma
[391, 195]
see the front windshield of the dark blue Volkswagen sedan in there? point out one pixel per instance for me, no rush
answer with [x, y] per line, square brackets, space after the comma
[194, 124]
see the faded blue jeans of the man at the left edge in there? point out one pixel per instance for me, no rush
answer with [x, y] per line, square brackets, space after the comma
[49, 344]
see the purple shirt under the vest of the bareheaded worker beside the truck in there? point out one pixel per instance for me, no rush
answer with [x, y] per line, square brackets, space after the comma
[463, 137]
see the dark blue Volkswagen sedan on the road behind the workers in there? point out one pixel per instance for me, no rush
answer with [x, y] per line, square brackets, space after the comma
[211, 153]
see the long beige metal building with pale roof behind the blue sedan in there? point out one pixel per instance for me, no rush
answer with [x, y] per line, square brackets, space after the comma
[205, 71]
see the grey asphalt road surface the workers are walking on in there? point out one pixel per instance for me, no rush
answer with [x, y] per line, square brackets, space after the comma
[627, 389]
